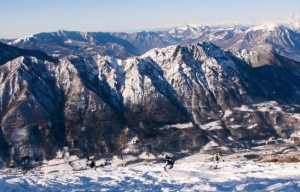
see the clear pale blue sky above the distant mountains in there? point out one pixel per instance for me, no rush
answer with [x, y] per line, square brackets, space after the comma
[25, 17]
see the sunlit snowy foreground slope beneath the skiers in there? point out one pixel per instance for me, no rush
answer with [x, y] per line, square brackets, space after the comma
[185, 176]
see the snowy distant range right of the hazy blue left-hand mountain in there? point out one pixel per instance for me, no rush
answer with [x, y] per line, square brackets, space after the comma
[249, 43]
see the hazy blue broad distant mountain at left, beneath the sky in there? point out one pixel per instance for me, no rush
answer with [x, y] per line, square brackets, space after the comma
[63, 43]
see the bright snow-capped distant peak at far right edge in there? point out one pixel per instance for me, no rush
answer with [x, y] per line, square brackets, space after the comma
[256, 43]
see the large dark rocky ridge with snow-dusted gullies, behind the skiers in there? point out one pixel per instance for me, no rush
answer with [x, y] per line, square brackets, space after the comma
[177, 99]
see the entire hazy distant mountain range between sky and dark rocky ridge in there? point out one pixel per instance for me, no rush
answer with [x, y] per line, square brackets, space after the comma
[251, 43]
